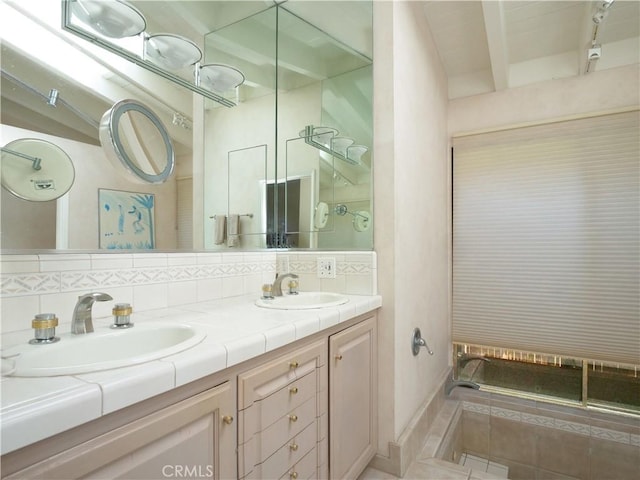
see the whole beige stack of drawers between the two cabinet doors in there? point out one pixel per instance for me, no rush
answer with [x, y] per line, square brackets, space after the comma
[282, 415]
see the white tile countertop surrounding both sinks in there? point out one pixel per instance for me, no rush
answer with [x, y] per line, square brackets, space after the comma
[236, 330]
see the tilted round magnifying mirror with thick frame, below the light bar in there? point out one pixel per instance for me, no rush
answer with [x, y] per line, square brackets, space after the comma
[136, 142]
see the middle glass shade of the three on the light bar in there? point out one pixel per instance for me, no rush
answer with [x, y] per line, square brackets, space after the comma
[172, 52]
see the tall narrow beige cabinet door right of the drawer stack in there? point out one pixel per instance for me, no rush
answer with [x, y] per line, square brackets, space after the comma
[352, 399]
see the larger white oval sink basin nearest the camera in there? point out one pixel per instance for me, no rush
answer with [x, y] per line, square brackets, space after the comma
[102, 350]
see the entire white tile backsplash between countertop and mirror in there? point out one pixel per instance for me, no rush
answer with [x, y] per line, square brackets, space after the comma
[44, 283]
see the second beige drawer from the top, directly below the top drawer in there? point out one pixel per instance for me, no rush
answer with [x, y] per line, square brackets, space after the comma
[265, 412]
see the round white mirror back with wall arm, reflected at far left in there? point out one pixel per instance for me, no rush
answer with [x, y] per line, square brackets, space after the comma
[36, 170]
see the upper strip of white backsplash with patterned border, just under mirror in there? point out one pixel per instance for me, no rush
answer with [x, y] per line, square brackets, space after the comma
[69, 272]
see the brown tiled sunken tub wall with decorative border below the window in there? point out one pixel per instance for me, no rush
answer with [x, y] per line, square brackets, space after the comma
[543, 440]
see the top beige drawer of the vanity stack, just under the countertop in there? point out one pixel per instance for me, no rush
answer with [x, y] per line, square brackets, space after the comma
[269, 378]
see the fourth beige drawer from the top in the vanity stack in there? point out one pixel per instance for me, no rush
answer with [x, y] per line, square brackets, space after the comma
[290, 454]
